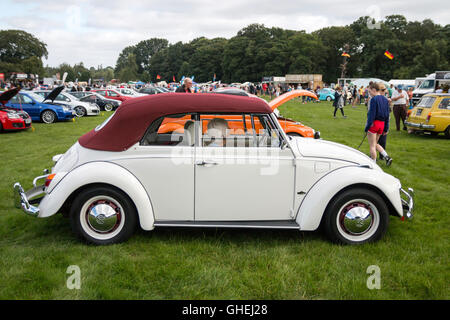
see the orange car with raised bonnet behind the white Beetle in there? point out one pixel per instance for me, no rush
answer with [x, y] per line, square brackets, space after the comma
[291, 127]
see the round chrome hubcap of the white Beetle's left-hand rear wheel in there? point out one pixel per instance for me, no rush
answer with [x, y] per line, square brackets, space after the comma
[103, 216]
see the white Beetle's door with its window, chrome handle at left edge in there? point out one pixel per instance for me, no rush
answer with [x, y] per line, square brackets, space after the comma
[243, 174]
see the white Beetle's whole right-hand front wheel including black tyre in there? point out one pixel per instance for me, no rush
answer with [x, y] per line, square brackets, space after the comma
[356, 216]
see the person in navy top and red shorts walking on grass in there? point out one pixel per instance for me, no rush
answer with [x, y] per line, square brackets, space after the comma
[377, 121]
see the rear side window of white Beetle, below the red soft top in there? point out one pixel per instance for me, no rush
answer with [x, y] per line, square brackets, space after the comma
[172, 130]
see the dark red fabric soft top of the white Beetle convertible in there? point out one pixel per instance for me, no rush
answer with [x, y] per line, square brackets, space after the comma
[134, 116]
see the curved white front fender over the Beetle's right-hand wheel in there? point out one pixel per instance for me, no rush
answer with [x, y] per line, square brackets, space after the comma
[312, 208]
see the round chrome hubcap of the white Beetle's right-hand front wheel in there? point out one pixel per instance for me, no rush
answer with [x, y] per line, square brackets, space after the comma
[356, 218]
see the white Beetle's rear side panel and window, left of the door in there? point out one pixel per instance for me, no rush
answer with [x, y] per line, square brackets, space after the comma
[164, 163]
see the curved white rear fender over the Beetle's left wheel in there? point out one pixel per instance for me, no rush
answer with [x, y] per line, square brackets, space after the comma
[99, 172]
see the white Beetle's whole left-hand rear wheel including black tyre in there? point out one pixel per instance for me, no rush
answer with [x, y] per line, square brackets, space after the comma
[103, 215]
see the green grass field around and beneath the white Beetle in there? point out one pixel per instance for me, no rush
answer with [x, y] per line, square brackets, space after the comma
[230, 264]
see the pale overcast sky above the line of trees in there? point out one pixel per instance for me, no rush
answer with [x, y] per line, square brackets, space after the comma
[96, 31]
